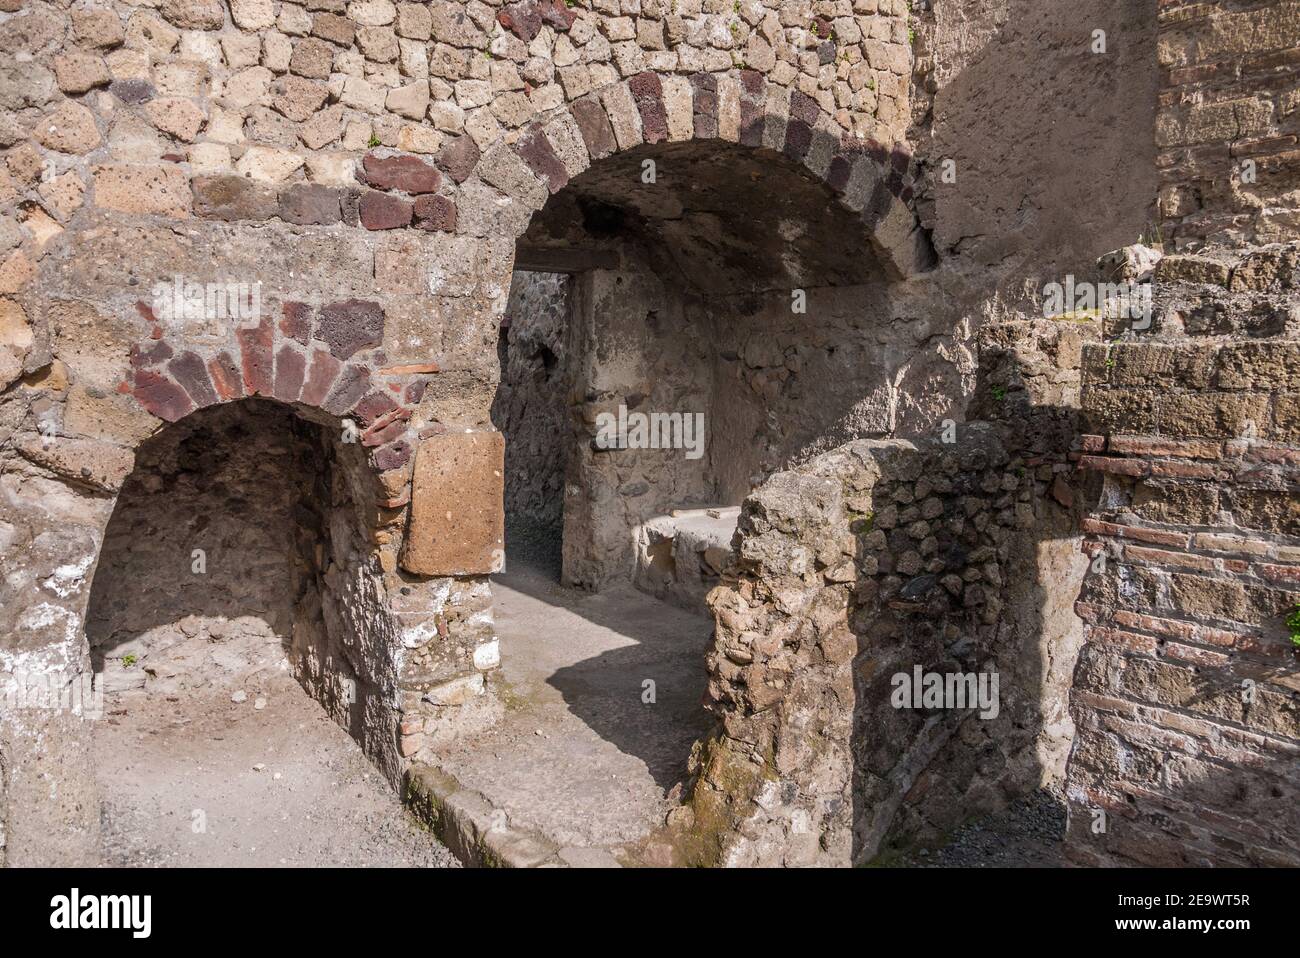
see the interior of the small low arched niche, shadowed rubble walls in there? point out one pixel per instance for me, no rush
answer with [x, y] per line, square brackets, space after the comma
[239, 544]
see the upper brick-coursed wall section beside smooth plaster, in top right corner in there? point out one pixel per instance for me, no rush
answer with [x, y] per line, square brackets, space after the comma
[1228, 124]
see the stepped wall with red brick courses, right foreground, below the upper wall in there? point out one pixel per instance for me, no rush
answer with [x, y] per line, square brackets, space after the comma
[1186, 696]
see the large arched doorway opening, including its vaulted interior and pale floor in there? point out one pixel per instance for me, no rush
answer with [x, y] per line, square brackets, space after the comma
[673, 281]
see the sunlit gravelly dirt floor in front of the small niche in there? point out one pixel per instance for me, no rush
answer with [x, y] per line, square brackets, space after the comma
[196, 779]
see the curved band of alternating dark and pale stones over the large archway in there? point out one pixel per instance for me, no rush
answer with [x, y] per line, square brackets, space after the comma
[865, 176]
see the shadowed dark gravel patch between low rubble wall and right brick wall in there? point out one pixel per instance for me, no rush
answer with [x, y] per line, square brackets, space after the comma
[1028, 835]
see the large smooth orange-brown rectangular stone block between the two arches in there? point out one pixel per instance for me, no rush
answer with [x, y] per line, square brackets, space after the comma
[457, 517]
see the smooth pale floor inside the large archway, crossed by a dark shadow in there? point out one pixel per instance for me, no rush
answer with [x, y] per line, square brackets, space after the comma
[582, 757]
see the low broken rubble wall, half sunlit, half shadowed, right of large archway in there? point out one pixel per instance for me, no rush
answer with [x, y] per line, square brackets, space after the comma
[869, 562]
